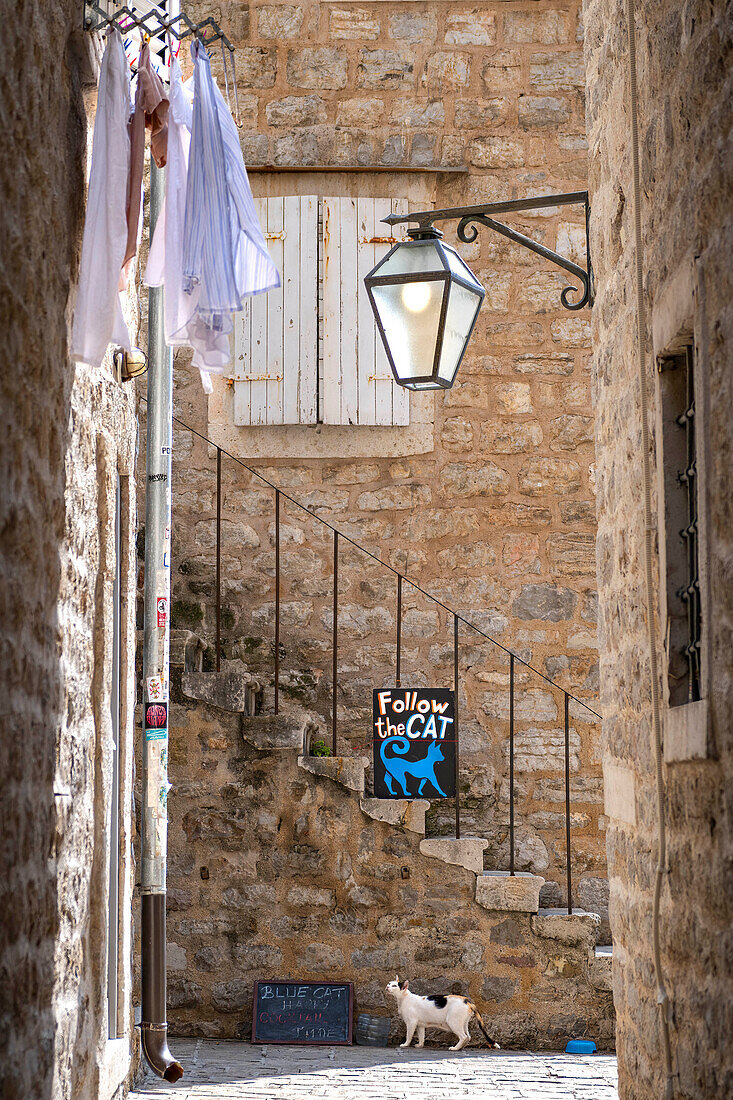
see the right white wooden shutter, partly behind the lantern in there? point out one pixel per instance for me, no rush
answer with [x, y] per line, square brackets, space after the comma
[357, 380]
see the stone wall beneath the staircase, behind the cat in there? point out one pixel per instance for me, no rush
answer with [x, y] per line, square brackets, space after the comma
[278, 873]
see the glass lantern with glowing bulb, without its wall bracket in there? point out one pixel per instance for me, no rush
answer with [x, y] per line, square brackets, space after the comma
[426, 302]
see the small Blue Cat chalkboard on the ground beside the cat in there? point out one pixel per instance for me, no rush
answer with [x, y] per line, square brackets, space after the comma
[314, 1013]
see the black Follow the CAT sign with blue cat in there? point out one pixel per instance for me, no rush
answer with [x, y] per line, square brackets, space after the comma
[414, 743]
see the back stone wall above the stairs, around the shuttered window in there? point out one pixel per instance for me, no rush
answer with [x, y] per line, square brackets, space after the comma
[498, 519]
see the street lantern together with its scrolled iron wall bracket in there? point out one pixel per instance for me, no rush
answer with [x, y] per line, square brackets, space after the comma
[426, 300]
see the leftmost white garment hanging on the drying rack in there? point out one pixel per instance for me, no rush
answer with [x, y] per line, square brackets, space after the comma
[99, 318]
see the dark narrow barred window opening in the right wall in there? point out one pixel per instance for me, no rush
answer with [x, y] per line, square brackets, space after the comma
[682, 529]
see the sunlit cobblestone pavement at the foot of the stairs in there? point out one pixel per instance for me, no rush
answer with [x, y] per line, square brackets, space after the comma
[231, 1071]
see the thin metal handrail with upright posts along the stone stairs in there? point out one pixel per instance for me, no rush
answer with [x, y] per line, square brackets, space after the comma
[458, 619]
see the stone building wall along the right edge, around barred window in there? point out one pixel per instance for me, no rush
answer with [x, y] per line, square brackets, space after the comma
[685, 95]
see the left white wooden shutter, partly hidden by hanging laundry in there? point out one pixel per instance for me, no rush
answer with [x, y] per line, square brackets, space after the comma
[277, 334]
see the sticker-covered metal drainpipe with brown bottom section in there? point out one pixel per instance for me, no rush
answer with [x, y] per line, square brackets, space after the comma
[156, 667]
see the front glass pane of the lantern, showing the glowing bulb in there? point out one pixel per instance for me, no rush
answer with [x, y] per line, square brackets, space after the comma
[410, 314]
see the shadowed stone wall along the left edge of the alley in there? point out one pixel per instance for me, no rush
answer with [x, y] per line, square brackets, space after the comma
[67, 433]
